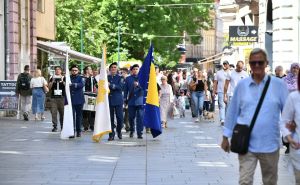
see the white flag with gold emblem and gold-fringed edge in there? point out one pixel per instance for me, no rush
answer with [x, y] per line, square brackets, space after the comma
[102, 124]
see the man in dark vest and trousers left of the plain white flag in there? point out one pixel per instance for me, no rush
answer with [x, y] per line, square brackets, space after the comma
[57, 90]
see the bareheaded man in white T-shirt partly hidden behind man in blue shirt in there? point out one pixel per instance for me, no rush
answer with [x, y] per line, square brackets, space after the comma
[232, 80]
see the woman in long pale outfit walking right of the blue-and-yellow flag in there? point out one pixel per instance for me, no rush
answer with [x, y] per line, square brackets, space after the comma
[166, 100]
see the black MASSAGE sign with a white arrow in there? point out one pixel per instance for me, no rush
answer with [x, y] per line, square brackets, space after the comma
[243, 34]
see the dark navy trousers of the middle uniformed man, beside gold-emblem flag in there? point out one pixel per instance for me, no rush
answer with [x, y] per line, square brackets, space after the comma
[118, 110]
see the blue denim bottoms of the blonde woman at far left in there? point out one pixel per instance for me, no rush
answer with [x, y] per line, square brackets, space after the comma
[38, 100]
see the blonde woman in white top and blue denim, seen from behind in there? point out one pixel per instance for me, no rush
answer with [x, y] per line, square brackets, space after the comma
[39, 87]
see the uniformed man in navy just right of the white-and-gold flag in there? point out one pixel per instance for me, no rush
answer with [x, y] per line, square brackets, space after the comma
[115, 82]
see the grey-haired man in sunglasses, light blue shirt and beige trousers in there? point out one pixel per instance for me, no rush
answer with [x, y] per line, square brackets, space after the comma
[265, 136]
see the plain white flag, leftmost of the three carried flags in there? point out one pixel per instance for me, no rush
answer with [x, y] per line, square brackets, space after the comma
[68, 126]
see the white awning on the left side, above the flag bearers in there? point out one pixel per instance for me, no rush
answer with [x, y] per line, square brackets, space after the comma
[62, 51]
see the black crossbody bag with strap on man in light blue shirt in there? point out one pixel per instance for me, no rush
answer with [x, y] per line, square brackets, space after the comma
[241, 133]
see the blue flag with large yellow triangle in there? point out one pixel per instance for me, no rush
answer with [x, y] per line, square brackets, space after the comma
[147, 80]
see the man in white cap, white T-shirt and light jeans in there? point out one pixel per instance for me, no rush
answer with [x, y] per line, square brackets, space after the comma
[219, 82]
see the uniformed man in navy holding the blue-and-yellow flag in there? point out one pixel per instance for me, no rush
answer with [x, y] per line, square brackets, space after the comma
[133, 95]
